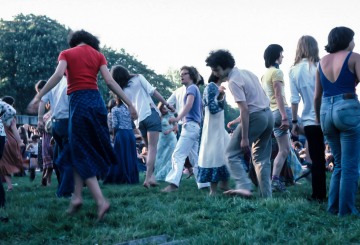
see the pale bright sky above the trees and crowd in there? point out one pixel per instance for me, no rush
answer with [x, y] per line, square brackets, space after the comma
[165, 34]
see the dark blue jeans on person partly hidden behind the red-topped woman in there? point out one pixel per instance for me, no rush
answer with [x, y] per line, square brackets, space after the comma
[63, 159]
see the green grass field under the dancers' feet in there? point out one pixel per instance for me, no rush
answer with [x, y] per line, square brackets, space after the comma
[37, 217]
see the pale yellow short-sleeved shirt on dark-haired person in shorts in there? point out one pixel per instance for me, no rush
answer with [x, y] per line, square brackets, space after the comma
[272, 75]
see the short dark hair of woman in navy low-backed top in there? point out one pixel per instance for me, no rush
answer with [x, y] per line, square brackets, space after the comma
[339, 38]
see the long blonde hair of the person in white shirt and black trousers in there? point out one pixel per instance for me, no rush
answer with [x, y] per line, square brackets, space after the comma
[307, 48]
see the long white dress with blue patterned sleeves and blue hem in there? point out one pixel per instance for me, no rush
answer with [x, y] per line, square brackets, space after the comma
[214, 139]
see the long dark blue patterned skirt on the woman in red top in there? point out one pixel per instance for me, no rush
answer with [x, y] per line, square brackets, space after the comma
[89, 138]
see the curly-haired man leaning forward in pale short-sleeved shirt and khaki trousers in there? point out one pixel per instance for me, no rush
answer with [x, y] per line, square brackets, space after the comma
[253, 134]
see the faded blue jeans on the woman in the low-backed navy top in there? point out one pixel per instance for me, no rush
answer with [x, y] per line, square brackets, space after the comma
[340, 122]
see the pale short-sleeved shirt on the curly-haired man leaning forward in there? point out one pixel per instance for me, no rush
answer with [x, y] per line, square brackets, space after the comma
[245, 86]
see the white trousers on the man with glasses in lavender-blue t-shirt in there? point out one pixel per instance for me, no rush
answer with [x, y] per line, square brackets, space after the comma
[187, 146]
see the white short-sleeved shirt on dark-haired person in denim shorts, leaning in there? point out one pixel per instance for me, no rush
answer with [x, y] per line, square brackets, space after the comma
[139, 92]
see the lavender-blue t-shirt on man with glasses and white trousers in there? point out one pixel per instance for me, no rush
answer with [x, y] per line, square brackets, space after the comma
[195, 111]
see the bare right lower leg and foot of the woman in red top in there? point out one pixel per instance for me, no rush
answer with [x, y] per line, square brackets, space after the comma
[103, 205]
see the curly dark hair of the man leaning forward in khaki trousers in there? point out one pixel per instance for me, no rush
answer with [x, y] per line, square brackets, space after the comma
[222, 58]
